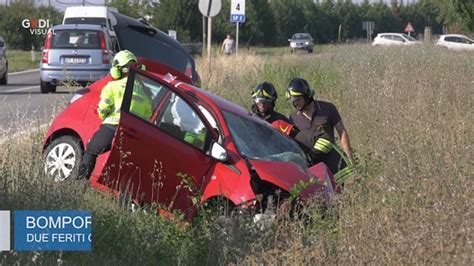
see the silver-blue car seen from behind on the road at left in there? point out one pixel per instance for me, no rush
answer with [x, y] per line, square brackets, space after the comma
[76, 52]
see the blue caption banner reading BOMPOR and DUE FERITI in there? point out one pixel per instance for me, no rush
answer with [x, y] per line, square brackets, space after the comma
[52, 230]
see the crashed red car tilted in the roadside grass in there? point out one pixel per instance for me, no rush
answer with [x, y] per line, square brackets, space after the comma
[195, 145]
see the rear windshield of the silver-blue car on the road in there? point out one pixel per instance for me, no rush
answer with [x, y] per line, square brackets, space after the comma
[76, 39]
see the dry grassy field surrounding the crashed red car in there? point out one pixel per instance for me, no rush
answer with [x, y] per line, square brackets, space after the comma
[409, 116]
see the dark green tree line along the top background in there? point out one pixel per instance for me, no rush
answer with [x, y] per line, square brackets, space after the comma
[268, 22]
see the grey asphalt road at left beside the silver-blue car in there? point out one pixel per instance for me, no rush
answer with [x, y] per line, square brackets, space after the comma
[23, 107]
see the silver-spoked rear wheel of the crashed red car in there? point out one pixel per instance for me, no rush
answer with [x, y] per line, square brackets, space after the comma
[62, 158]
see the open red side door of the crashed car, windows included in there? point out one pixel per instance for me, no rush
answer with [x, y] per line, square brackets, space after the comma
[158, 154]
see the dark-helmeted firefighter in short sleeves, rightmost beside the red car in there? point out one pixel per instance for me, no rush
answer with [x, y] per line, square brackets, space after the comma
[316, 121]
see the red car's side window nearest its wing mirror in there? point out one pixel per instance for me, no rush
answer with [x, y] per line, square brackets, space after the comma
[180, 121]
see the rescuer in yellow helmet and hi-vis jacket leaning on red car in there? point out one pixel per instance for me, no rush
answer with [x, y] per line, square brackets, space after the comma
[109, 110]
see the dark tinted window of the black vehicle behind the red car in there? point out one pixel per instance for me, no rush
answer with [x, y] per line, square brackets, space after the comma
[148, 45]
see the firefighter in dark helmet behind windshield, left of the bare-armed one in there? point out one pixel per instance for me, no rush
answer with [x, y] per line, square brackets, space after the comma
[264, 97]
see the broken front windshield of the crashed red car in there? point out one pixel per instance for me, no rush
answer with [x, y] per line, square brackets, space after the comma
[257, 141]
